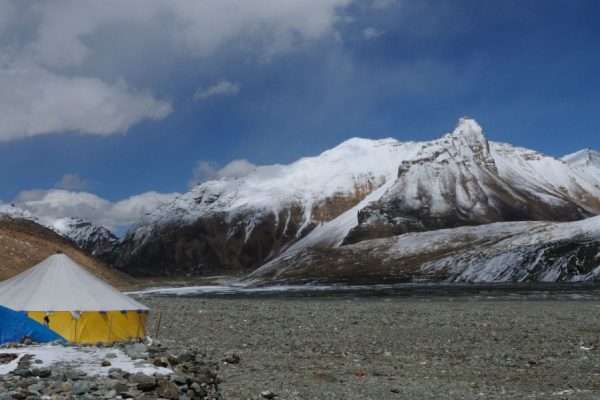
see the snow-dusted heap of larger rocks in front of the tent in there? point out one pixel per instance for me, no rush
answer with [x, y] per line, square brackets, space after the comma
[149, 371]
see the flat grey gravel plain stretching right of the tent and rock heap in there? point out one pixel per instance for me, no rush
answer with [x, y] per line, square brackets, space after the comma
[399, 349]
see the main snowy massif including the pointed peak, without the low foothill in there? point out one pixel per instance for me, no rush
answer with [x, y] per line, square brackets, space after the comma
[361, 189]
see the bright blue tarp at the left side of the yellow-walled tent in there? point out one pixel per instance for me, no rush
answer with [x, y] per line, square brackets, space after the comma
[14, 326]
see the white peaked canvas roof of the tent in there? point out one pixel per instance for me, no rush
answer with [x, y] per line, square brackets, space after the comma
[60, 284]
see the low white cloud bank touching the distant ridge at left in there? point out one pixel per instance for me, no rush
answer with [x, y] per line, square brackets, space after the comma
[53, 204]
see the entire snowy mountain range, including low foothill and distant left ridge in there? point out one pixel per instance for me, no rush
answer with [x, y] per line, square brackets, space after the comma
[340, 215]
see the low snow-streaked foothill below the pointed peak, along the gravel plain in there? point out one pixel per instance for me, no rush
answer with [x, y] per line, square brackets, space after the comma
[499, 252]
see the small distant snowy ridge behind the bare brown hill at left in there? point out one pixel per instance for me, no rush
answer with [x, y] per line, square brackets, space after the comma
[97, 240]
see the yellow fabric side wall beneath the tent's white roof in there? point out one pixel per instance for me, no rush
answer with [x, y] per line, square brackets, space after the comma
[95, 326]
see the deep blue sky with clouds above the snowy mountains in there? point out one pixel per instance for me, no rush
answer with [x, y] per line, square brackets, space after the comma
[117, 99]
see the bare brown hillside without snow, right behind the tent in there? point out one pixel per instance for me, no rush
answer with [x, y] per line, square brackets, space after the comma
[24, 243]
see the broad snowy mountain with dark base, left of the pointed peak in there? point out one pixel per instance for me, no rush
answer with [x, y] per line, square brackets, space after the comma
[238, 223]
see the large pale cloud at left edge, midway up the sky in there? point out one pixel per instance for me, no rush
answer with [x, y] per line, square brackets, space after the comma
[34, 101]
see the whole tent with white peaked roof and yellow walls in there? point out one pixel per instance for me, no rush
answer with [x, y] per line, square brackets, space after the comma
[74, 303]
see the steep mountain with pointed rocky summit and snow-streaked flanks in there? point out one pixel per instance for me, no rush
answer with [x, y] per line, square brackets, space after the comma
[464, 179]
